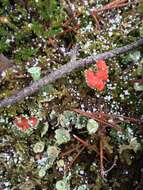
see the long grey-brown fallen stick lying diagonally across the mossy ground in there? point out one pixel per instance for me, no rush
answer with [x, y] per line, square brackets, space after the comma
[65, 69]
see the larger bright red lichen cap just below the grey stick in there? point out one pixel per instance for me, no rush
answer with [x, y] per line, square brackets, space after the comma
[97, 80]
